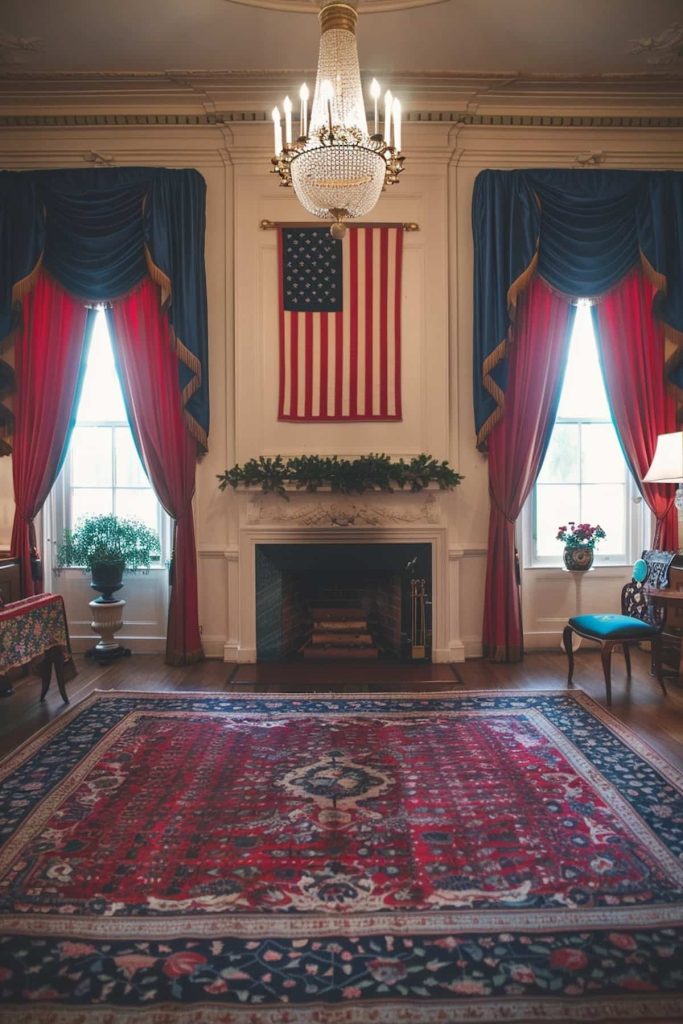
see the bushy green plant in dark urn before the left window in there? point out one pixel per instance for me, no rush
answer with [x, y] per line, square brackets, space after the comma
[107, 545]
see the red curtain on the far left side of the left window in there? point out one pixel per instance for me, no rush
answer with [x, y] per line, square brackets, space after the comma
[49, 352]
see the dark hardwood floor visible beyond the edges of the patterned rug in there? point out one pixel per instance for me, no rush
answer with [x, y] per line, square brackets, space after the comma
[641, 705]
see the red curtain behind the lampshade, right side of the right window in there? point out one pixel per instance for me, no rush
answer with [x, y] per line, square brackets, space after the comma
[632, 351]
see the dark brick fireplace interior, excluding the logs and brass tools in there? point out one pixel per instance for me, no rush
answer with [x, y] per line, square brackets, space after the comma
[293, 580]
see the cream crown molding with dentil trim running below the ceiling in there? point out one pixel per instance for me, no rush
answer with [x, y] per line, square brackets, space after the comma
[249, 96]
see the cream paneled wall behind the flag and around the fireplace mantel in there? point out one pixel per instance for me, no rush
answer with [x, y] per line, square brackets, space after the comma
[436, 191]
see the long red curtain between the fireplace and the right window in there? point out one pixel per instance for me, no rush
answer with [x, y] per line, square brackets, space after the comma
[517, 448]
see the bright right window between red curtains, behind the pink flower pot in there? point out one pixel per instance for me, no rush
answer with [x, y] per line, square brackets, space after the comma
[585, 477]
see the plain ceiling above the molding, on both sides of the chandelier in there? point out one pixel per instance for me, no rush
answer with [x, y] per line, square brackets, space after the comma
[533, 37]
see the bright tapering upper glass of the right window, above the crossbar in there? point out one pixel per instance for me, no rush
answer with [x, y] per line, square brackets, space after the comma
[584, 391]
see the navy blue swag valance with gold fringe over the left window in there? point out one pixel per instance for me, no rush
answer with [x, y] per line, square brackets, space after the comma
[100, 232]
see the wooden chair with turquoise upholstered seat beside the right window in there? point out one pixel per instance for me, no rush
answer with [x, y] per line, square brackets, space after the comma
[637, 623]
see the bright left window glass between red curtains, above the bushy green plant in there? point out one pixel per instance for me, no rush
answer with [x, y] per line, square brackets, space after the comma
[103, 473]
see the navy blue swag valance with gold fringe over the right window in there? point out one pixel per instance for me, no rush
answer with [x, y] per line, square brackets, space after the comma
[580, 231]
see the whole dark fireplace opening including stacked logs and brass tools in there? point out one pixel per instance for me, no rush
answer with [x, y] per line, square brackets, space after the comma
[343, 601]
